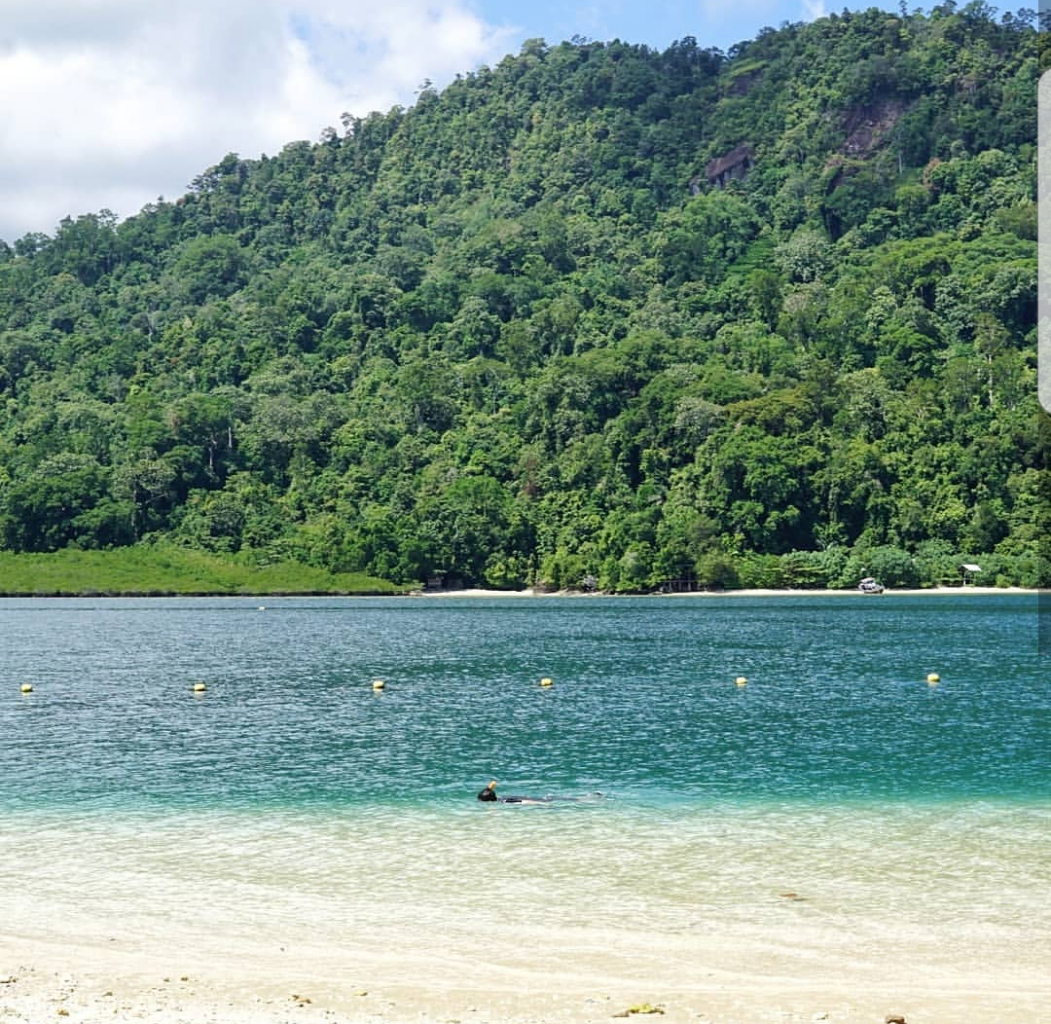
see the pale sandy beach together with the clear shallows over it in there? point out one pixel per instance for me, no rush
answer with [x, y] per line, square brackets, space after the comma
[848, 934]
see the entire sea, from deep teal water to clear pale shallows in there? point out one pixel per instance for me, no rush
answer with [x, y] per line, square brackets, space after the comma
[292, 807]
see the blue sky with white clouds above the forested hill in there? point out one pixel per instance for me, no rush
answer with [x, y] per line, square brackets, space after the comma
[112, 105]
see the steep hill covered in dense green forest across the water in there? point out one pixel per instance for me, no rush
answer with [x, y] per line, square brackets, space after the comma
[596, 315]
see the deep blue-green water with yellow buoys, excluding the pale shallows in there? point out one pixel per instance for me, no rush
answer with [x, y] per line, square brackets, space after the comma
[644, 705]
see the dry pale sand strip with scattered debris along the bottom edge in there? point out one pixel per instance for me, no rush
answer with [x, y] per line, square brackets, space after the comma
[94, 986]
